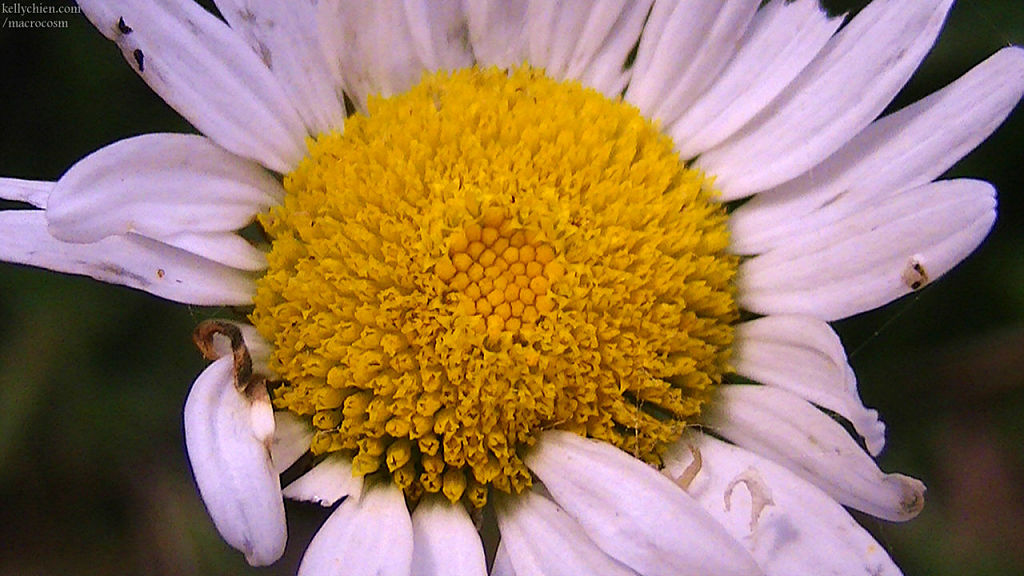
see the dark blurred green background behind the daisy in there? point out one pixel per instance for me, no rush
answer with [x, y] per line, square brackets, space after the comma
[94, 478]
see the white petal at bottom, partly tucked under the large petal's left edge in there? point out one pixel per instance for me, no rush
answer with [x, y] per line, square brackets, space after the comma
[541, 539]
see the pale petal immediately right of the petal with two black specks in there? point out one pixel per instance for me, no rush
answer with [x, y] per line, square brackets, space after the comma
[285, 36]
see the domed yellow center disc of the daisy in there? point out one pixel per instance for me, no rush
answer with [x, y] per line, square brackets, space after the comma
[486, 257]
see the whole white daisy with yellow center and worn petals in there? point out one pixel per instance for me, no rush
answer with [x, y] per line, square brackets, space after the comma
[573, 261]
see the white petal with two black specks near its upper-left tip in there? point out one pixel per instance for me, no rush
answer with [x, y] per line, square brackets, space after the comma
[207, 73]
